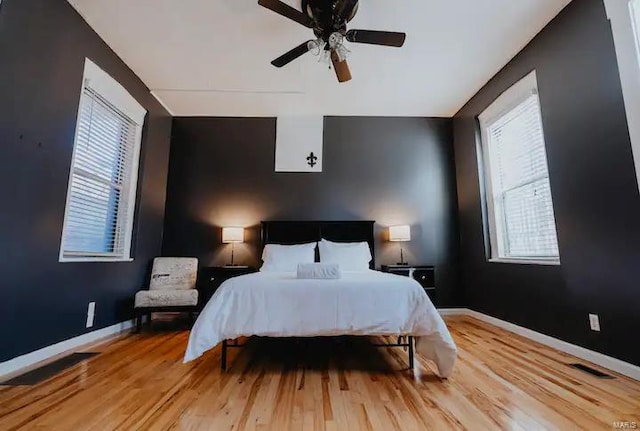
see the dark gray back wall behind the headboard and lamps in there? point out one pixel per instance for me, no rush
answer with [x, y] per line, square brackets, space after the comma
[392, 170]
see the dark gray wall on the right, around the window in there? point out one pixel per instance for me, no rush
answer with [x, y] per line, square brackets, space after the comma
[595, 194]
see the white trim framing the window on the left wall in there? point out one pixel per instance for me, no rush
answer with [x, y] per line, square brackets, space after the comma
[118, 96]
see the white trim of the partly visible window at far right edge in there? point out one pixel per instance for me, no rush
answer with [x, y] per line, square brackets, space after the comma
[624, 38]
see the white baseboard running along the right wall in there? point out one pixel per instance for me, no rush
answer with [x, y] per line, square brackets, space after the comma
[605, 361]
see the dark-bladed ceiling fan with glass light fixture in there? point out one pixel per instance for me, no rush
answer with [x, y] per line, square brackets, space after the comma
[328, 19]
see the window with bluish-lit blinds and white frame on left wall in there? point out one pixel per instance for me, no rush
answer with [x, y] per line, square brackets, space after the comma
[101, 196]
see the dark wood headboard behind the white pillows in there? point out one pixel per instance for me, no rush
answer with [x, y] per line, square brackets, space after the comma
[298, 232]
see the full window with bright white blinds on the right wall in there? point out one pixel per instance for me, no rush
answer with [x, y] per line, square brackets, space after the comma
[521, 220]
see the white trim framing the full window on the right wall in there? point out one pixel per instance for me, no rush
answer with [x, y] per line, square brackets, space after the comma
[507, 101]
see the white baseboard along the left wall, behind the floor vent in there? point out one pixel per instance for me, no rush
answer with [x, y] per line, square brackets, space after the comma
[25, 361]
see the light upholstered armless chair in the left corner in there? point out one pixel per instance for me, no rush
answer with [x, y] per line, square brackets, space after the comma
[172, 288]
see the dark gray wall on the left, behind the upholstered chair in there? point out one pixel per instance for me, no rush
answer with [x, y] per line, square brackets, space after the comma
[43, 44]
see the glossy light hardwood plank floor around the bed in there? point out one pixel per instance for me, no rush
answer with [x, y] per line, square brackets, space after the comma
[501, 381]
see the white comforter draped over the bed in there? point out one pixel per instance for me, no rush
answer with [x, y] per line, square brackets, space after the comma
[360, 303]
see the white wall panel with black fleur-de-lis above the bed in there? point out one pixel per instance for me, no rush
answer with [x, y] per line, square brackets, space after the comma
[299, 142]
